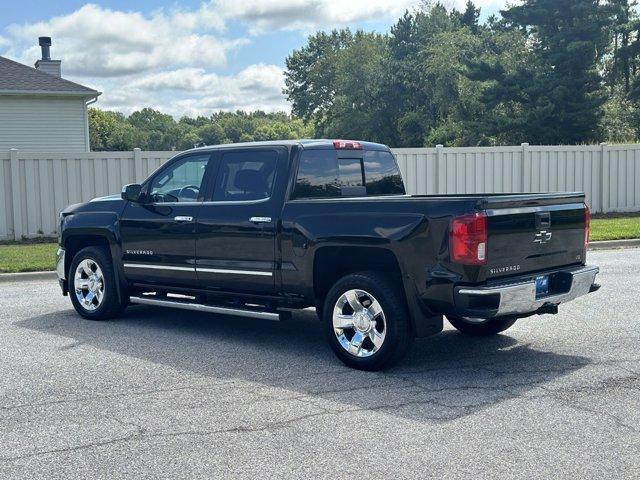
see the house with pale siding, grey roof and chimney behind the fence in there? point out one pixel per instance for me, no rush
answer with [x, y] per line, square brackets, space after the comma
[39, 110]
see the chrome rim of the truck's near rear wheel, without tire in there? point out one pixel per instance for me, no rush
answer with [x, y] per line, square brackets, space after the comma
[359, 323]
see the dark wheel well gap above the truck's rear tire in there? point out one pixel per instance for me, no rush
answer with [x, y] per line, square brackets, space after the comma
[332, 263]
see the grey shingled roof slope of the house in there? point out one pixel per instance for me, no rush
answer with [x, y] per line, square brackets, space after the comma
[16, 77]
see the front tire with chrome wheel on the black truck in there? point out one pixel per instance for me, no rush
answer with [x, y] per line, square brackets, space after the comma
[92, 285]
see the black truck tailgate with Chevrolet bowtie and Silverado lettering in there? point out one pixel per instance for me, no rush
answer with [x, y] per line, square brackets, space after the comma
[529, 233]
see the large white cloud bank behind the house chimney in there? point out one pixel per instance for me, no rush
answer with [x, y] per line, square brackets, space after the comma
[102, 42]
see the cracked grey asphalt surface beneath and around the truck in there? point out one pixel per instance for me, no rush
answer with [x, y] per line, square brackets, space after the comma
[174, 394]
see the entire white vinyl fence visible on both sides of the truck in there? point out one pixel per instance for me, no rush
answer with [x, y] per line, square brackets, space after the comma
[34, 187]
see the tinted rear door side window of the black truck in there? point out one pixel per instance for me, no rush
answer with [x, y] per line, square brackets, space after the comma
[246, 175]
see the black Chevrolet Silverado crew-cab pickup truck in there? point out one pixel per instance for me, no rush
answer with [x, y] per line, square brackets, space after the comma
[261, 229]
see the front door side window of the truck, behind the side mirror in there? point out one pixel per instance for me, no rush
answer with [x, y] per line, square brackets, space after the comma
[181, 182]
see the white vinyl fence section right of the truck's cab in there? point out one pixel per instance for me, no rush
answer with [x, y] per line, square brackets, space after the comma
[608, 174]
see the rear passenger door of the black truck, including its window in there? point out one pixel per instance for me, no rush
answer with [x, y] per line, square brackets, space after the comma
[237, 228]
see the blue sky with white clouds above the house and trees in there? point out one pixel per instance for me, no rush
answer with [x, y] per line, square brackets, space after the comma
[188, 57]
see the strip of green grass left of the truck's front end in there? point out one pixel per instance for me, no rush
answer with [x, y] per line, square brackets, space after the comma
[29, 257]
